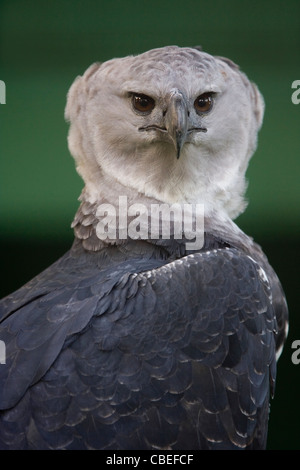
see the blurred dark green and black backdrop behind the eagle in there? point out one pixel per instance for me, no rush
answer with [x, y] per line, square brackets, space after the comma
[45, 44]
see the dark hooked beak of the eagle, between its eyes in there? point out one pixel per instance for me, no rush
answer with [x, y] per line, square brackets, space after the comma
[177, 120]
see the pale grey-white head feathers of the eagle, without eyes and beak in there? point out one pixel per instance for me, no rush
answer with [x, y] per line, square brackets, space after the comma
[109, 148]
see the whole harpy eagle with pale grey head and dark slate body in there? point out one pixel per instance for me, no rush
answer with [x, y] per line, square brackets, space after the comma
[148, 342]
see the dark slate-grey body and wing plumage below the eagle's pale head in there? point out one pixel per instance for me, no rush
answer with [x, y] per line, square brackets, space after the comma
[143, 344]
